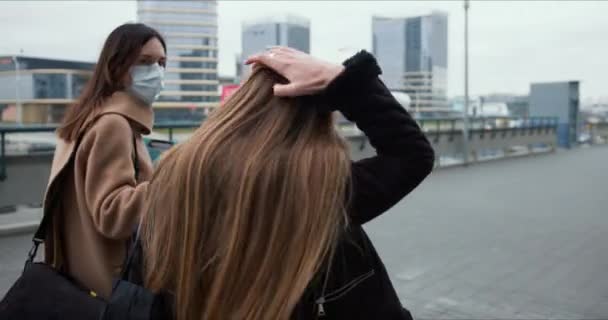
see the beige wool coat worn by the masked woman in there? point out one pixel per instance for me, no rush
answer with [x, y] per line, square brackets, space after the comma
[93, 195]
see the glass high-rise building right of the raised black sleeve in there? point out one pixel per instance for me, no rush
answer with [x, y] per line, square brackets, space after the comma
[412, 53]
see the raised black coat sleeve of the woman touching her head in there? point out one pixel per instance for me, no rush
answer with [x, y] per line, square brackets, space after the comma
[404, 157]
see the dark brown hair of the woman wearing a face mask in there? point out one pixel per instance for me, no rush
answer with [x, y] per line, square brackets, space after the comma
[120, 51]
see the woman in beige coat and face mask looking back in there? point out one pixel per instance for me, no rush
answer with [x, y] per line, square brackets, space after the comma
[100, 168]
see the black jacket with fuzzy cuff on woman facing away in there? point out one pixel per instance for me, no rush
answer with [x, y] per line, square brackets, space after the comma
[357, 285]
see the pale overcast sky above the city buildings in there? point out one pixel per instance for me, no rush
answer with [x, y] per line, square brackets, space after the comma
[512, 43]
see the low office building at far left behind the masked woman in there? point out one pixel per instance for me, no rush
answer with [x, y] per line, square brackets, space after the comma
[38, 90]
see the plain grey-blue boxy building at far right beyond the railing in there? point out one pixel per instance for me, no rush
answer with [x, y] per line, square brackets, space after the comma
[561, 100]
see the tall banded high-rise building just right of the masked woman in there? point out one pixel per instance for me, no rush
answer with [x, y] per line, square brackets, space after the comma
[191, 78]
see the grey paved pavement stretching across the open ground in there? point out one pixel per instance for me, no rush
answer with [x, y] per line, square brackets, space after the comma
[514, 239]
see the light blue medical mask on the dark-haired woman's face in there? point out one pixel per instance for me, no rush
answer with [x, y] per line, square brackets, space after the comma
[147, 82]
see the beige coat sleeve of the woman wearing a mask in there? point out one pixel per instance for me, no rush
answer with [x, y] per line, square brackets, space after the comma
[112, 195]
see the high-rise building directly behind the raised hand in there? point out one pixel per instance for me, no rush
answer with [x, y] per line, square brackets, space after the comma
[287, 30]
